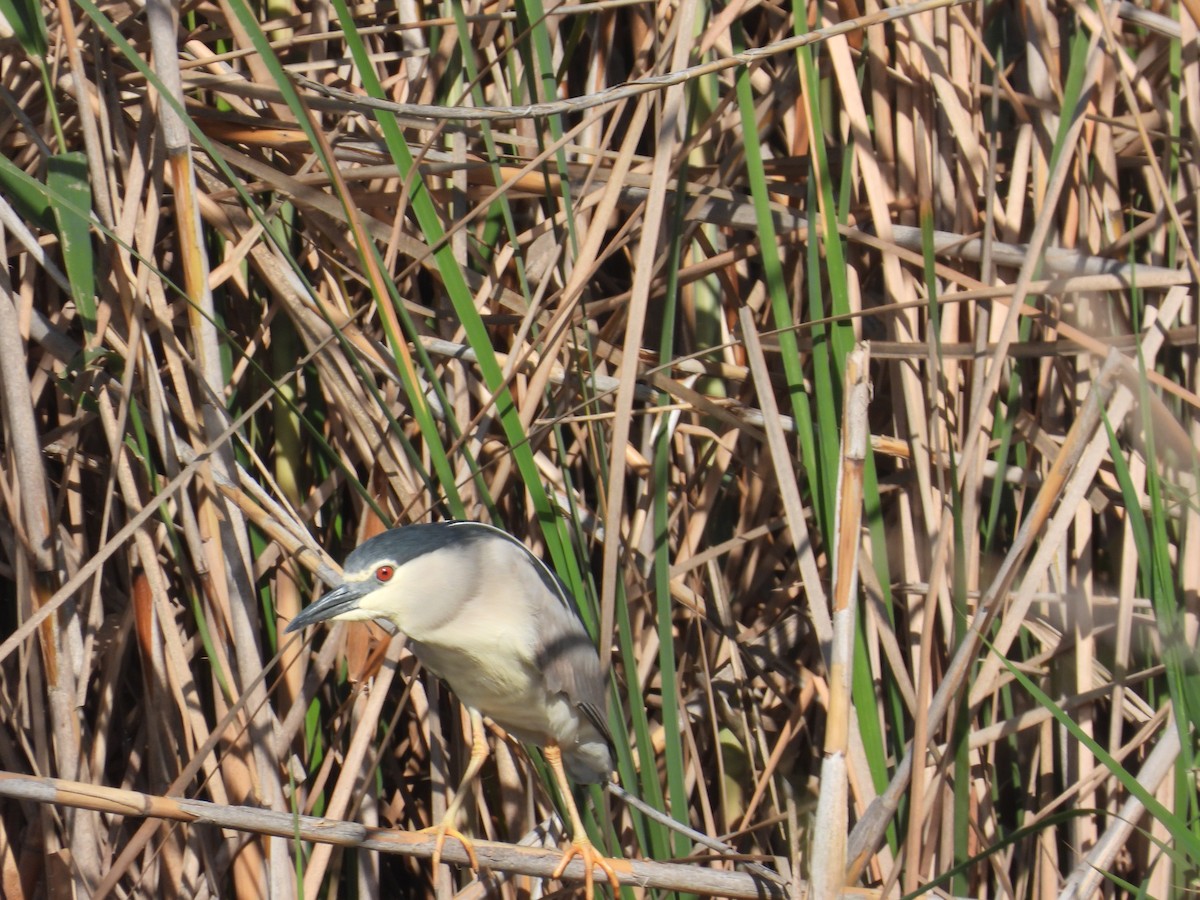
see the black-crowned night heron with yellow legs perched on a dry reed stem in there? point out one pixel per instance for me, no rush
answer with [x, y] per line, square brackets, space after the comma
[496, 625]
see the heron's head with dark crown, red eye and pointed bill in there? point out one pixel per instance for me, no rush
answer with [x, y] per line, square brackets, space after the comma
[395, 575]
